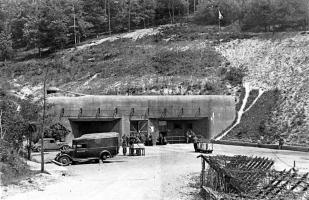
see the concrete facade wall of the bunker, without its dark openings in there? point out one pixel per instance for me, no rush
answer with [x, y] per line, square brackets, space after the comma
[217, 112]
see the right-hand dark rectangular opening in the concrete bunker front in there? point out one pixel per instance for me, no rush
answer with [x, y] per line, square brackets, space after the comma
[174, 130]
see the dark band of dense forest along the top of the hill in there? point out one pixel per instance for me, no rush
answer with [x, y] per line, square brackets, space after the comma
[49, 25]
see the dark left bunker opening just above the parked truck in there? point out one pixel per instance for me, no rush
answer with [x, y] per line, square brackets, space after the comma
[86, 126]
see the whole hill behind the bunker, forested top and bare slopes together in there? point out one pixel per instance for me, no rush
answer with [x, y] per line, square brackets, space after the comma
[177, 59]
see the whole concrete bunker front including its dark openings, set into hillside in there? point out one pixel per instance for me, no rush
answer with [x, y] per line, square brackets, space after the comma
[172, 116]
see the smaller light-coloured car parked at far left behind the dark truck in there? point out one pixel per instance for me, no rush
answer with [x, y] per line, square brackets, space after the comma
[50, 144]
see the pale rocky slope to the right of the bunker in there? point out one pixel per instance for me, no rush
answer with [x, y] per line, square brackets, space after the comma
[277, 65]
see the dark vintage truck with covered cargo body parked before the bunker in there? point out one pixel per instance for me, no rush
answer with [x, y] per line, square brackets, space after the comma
[94, 146]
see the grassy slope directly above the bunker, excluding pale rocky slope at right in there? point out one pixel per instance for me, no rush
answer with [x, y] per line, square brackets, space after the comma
[167, 60]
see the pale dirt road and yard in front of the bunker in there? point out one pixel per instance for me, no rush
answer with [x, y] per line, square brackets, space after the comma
[166, 172]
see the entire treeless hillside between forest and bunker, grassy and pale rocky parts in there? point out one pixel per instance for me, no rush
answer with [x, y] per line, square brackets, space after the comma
[187, 59]
